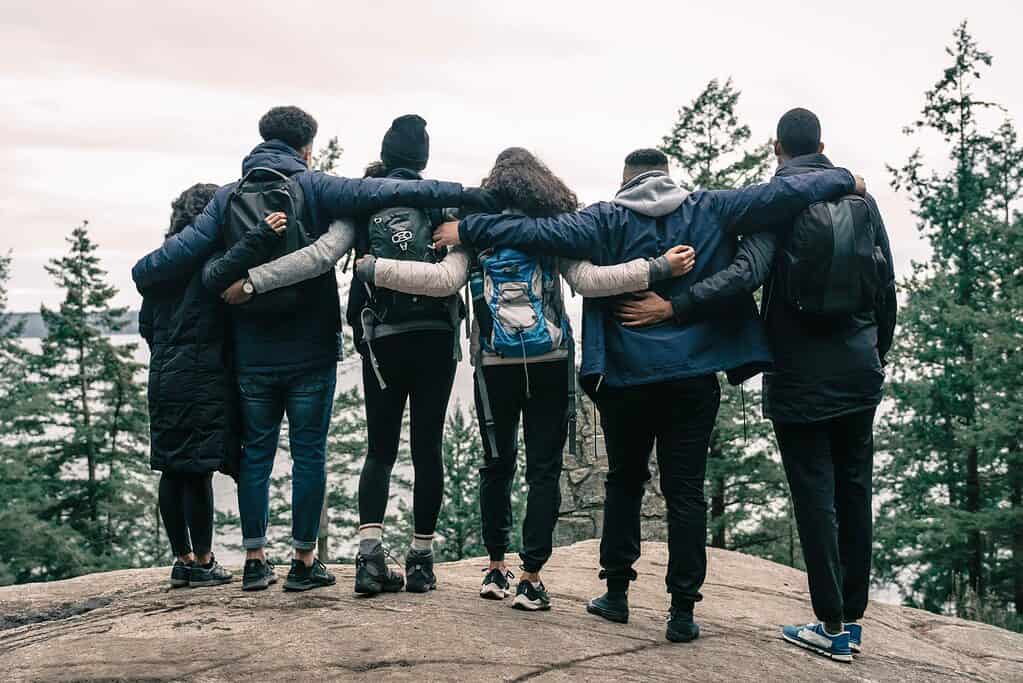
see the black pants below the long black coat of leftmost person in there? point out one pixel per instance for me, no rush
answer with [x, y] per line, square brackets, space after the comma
[187, 507]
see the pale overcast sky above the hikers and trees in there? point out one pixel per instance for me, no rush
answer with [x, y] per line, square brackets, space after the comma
[111, 111]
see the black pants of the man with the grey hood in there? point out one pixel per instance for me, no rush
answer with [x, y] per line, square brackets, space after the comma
[678, 417]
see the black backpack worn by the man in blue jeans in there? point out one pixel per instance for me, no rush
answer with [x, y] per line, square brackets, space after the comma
[260, 193]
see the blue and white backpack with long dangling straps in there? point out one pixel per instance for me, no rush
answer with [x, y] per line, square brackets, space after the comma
[520, 313]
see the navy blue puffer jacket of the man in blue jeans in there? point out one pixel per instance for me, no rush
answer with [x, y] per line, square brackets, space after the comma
[307, 338]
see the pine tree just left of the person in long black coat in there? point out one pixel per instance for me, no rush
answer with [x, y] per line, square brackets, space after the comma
[94, 459]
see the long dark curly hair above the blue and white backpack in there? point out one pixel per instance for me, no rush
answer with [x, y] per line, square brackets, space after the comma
[525, 184]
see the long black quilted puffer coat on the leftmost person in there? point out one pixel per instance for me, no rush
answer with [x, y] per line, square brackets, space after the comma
[195, 422]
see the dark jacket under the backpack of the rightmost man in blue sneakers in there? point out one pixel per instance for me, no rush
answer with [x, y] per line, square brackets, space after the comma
[825, 371]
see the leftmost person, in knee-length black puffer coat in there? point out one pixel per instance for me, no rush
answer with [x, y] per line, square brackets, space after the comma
[195, 422]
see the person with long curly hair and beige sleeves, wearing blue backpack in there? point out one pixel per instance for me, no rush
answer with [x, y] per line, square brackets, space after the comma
[533, 390]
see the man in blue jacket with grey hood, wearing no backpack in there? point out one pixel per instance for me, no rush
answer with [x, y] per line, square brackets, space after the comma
[657, 385]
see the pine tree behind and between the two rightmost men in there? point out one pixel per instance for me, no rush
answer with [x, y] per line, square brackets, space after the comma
[745, 486]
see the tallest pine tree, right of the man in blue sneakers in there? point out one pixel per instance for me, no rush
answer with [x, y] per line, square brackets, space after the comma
[951, 440]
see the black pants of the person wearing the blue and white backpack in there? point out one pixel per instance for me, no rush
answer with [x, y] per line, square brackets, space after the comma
[544, 407]
